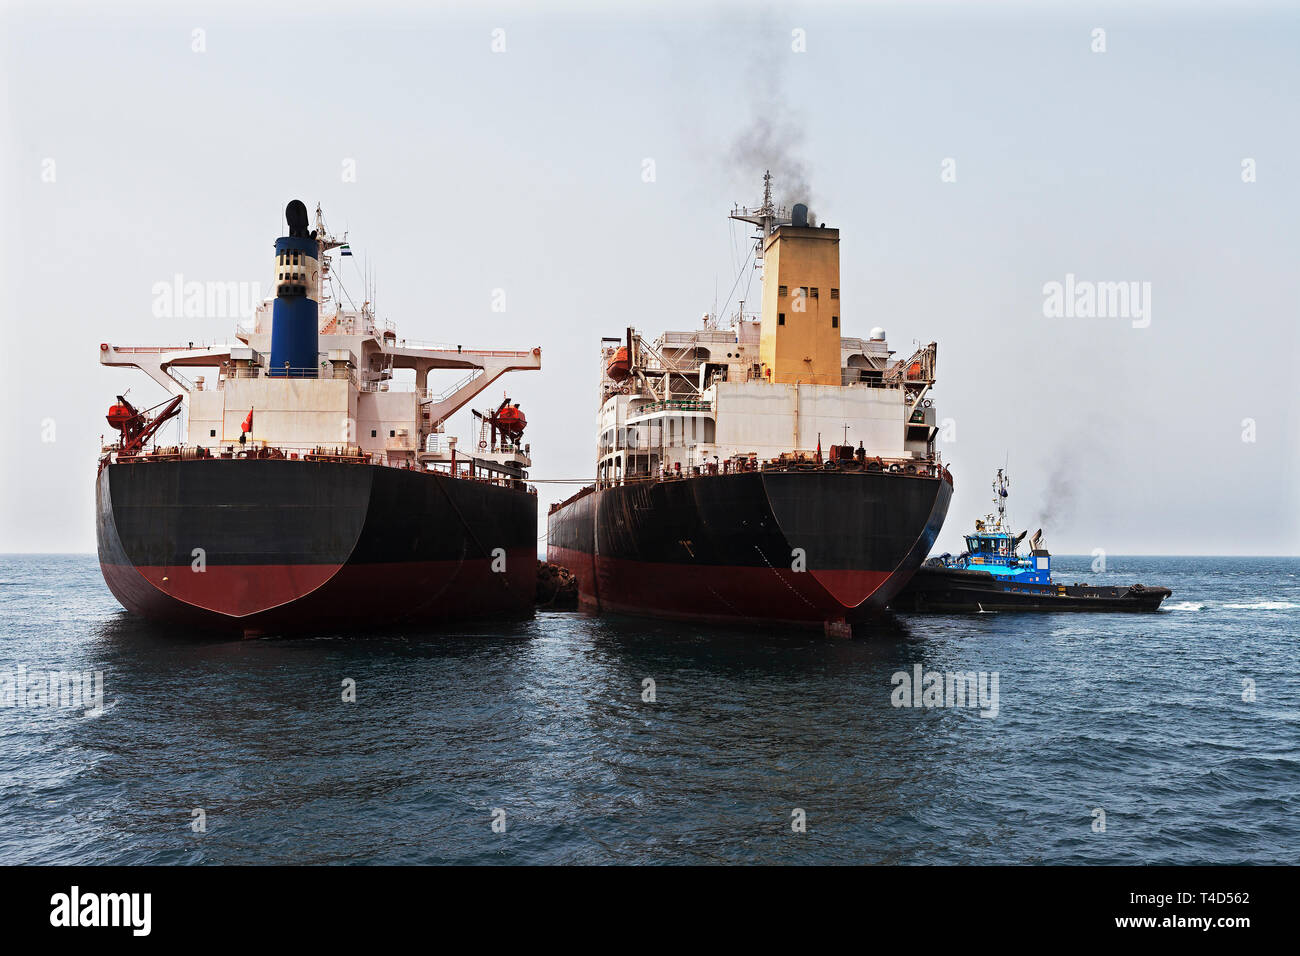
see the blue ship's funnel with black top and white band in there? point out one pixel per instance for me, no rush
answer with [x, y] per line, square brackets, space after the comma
[298, 292]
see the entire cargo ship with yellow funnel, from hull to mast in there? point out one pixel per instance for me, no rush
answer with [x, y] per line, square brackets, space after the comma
[820, 449]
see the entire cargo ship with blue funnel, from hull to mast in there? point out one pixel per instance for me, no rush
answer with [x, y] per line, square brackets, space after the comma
[310, 479]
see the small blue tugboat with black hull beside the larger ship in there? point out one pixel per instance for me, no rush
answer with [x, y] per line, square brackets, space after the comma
[993, 576]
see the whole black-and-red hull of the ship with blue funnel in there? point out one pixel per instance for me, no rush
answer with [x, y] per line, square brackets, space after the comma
[306, 547]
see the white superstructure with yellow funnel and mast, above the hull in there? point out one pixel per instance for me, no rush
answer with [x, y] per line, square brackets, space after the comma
[772, 388]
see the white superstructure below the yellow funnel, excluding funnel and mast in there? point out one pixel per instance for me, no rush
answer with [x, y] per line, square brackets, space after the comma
[700, 399]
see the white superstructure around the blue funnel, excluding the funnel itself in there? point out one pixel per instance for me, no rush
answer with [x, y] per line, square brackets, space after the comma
[354, 406]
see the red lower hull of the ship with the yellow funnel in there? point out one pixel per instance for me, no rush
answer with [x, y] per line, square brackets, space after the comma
[770, 596]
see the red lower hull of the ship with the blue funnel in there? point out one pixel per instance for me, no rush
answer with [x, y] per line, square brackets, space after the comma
[272, 599]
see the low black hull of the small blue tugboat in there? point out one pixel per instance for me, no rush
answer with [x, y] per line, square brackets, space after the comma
[959, 590]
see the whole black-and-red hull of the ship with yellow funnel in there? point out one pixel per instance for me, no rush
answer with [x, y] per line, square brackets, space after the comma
[800, 548]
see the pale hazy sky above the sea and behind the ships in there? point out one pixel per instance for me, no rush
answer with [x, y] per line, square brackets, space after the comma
[523, 171]
